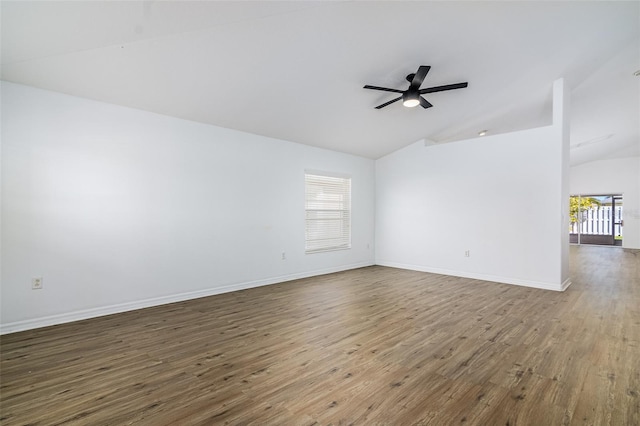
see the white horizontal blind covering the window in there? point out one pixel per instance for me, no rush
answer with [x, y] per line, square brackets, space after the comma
[328, 213]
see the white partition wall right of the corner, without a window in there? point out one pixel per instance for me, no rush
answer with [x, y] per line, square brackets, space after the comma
[497, 196]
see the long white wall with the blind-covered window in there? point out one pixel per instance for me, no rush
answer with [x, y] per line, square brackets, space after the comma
[118, 208]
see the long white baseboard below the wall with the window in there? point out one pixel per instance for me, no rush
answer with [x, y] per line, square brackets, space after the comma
[30, 324]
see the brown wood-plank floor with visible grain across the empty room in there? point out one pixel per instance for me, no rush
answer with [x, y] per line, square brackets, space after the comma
[371, 346]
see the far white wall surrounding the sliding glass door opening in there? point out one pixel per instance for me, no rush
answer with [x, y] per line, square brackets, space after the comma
[619, 176]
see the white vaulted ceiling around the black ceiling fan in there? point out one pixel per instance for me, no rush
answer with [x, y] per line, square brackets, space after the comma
[295, 70]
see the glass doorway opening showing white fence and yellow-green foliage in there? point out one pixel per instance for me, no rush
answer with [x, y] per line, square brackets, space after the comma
[596, 219]
